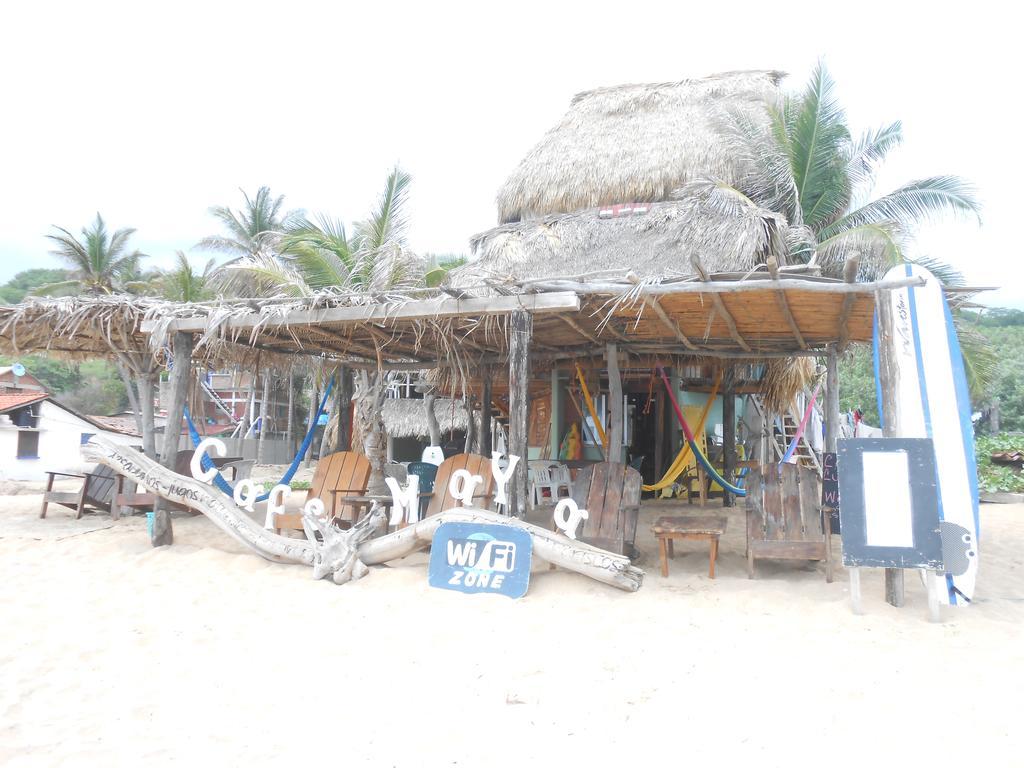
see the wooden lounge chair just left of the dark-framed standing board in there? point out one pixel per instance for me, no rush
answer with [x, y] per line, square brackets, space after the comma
[784, 517]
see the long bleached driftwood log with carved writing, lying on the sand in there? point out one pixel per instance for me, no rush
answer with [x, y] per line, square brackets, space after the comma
[345, 556]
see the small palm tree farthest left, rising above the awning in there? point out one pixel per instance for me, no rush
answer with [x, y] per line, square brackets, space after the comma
[100, 263]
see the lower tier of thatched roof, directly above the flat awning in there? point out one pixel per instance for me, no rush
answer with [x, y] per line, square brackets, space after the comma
[707, 230]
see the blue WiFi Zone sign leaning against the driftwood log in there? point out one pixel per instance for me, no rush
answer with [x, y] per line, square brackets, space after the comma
[477, 558]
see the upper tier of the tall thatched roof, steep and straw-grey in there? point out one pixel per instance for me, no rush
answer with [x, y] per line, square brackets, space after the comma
[635, 144]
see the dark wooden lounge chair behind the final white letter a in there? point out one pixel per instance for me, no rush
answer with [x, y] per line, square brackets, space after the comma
[611, 494]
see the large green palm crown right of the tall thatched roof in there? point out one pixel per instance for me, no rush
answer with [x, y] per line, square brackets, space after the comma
[808, 167]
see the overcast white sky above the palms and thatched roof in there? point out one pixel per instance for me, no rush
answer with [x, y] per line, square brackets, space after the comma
[152, 113]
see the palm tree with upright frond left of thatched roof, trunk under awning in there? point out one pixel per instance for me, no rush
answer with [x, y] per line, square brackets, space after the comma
[322, 255]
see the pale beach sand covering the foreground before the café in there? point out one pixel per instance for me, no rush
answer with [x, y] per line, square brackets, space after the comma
[115, 654]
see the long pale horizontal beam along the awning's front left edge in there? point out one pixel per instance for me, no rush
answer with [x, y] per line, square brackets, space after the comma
[388, 313]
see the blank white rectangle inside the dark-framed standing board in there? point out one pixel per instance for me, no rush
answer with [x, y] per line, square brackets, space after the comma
[888, 518]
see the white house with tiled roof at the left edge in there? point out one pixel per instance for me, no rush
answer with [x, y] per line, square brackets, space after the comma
[39, 436]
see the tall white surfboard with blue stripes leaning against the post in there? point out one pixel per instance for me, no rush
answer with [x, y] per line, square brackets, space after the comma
[932, 401]
